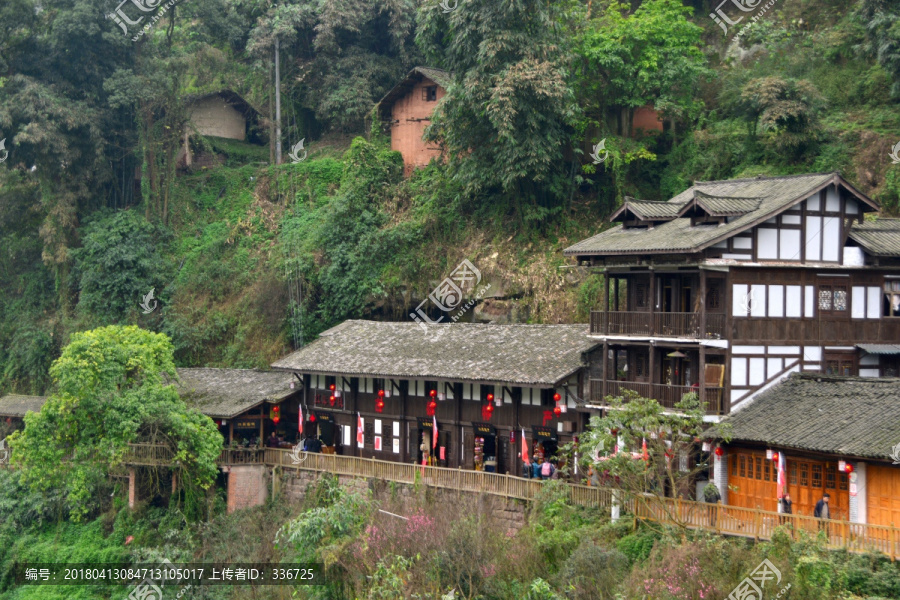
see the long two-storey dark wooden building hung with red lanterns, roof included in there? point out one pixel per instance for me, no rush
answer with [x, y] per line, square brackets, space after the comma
[482, 385]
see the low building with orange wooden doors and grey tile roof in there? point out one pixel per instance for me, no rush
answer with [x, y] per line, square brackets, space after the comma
[820, 424]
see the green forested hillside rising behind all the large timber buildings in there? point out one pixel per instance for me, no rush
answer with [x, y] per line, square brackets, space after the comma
[95, 211]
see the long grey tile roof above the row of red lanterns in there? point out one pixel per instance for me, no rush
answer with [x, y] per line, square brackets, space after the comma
[534, 355]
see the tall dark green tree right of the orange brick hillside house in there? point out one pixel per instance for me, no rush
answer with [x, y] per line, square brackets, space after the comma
[506, 118]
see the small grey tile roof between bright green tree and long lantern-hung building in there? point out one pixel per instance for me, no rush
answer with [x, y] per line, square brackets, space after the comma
[225, 393]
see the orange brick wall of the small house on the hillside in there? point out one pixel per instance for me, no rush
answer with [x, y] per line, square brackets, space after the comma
[407, 131]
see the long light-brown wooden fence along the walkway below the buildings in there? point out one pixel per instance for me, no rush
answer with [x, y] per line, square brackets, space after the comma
[718, 518]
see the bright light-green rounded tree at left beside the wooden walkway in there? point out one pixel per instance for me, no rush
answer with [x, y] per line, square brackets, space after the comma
[111, 390]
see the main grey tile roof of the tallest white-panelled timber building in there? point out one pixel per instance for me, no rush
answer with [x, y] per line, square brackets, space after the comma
[678, 236]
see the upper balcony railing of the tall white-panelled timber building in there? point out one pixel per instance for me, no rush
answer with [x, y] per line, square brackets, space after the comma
[665, 324]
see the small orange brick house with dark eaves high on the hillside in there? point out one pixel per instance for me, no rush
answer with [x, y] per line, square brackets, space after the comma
[406, 112]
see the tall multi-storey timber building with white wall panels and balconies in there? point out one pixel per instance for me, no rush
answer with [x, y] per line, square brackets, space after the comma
[730, 286]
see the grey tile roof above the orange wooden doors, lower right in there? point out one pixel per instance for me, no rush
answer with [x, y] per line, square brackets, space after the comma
[850, 416]
